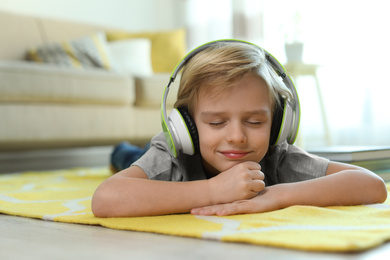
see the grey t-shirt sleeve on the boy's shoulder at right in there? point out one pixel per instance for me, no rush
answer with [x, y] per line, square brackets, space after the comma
[289, 163]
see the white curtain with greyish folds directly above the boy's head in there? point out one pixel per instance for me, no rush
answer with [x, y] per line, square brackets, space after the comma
[208, 20]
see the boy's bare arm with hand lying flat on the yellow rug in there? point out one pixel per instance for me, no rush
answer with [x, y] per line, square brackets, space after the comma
[343, 185]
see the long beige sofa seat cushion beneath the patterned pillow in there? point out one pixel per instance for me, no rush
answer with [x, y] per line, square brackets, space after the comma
[34, 82]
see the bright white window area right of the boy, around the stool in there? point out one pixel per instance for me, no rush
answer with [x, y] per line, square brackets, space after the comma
[348, 40]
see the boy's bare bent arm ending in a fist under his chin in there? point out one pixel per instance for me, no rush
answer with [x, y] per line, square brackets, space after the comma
[131, 193]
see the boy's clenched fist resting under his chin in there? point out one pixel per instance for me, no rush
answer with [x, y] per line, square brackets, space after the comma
[242, 181]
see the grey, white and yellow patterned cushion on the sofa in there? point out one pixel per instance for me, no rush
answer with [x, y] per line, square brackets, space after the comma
[86, 52]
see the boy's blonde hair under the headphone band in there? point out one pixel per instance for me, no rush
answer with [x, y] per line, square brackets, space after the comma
[222, 64]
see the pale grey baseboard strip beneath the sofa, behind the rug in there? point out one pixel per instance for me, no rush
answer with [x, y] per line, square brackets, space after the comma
[52, 159]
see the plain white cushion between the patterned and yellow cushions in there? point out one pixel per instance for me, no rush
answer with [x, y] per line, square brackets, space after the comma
[133, 56]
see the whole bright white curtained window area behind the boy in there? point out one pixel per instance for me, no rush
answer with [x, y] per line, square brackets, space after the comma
[347, 40]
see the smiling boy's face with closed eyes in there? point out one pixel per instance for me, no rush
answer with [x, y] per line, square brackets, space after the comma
[235, 126]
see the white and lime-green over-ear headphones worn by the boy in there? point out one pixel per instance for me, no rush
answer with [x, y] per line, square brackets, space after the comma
[180, 129]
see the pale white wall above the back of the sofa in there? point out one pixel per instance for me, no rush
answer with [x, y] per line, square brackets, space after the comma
[125, 14]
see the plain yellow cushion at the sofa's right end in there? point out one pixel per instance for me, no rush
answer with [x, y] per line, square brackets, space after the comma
[168, 47]
